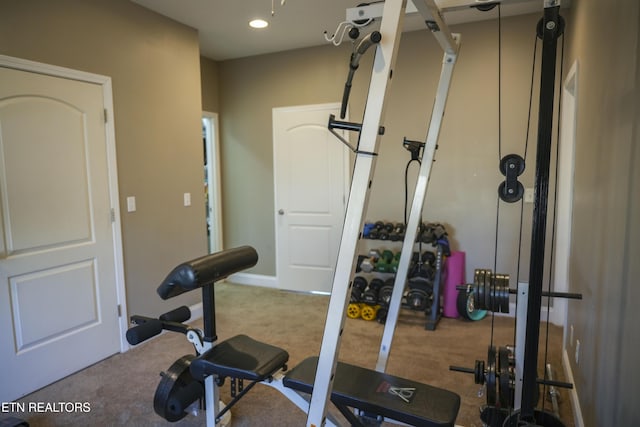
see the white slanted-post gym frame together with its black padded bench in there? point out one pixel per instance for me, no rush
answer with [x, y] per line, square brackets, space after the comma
[353, 390]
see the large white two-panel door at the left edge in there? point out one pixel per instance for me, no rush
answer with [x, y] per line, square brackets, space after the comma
[58, 275]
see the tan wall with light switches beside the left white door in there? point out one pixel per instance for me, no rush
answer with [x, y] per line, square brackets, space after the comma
[154, 66]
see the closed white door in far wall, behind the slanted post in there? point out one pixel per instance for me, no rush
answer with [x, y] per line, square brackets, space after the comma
[311, 169]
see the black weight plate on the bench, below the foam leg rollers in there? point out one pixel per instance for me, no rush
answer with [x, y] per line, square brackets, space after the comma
[173, 380]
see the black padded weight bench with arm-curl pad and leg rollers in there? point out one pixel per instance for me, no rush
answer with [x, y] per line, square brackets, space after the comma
[242, 358]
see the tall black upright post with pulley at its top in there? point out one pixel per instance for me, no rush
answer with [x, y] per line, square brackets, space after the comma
[550, 32]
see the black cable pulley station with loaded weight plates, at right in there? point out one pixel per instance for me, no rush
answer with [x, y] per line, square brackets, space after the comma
[510, 374]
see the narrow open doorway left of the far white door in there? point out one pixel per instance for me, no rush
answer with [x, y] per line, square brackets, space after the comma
[210, 140]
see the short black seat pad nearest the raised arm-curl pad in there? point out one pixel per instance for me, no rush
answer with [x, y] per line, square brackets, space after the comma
[240, 357]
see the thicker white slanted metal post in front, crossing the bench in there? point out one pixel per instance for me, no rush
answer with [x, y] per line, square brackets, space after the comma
[384, 61]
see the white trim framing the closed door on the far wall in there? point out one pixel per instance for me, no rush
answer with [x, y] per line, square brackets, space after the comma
[346, 175]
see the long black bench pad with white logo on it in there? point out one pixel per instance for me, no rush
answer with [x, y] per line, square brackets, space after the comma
[381, 394]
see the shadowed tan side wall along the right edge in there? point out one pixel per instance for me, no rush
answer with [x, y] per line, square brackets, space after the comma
[605, 238]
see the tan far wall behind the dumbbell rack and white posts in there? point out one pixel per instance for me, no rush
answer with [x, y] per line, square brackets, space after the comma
[463, 188]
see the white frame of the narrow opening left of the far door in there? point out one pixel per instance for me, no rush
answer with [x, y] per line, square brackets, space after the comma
[214, 203]
